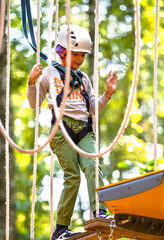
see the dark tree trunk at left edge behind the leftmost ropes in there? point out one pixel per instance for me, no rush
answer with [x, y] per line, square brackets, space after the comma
[2, 155]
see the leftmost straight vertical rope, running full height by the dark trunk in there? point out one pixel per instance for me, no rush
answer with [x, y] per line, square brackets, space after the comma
[7, 122]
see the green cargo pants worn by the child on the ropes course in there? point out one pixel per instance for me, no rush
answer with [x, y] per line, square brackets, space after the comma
[71, 162]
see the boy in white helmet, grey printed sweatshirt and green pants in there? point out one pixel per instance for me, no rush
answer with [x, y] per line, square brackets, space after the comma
[76, 122]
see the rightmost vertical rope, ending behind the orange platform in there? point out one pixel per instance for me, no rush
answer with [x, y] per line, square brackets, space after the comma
[155, 83]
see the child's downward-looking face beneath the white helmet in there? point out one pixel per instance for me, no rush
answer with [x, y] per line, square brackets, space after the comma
[77, 59]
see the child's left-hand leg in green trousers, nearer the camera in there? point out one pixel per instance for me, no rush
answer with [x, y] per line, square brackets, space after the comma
[68, 159]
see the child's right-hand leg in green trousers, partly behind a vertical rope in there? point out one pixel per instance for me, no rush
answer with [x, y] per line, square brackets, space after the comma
[88, 167]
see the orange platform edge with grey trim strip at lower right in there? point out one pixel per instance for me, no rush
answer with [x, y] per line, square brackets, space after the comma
[148, 203]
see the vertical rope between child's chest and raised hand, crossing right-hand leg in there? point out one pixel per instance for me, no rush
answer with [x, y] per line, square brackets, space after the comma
[96, 87]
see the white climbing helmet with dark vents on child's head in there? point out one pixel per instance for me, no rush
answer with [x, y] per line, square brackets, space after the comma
[80, 40]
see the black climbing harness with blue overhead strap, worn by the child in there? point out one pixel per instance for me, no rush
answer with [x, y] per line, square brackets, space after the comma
[76, 77]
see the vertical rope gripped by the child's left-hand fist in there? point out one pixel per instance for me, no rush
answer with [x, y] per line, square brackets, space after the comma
[36, 128]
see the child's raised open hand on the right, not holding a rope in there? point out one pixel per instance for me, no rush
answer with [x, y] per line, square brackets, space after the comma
[111, 83]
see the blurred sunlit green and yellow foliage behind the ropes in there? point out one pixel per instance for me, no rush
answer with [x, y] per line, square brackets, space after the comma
[133, 154]
